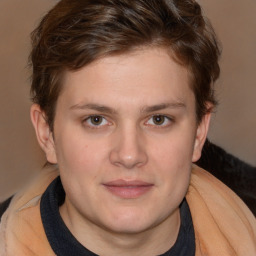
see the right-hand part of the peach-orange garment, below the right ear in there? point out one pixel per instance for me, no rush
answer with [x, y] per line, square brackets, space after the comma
[222, 221]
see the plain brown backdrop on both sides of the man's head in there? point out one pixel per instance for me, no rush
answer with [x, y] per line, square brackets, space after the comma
[233, 126]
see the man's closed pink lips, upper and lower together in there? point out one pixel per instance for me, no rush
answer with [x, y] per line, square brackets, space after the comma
[128, 189]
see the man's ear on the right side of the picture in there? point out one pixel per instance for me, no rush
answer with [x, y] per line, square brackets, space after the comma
[201, 135]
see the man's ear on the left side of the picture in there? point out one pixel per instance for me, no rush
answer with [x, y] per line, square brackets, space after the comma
[43, 133]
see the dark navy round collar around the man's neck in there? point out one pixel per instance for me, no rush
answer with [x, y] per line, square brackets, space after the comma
[64, 243]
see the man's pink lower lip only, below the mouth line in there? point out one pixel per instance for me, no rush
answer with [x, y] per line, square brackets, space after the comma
[129, 192]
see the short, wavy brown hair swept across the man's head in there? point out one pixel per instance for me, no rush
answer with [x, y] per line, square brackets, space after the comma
[75, 33]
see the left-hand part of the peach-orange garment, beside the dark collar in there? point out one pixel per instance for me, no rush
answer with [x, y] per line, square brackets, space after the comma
[21, 220]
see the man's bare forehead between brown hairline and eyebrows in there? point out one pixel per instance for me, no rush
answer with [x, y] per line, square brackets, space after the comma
[148, 75]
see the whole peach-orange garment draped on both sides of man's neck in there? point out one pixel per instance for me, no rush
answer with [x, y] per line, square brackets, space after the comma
[223, 224]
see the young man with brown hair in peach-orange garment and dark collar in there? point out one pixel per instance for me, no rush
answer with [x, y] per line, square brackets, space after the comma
[122, 97]
